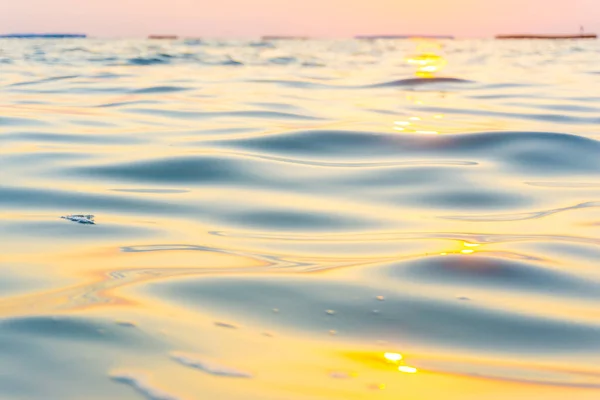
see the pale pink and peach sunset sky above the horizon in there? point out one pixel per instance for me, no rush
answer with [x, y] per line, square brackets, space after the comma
[324, 18]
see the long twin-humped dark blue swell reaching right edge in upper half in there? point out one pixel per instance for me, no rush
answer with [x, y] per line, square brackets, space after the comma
[523, 151]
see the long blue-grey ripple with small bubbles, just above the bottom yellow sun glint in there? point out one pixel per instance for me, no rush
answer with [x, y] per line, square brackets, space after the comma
[417, 319]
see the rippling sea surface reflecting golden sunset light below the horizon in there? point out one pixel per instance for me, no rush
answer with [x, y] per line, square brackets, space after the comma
[271, 218]
